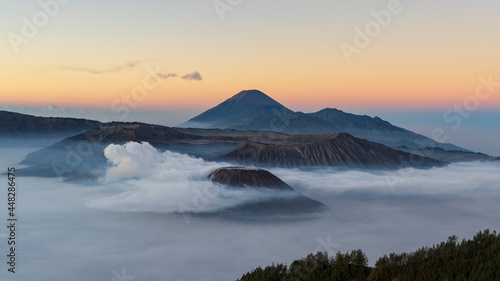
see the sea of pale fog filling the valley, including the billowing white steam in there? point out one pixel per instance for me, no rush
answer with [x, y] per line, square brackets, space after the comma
[125, 226]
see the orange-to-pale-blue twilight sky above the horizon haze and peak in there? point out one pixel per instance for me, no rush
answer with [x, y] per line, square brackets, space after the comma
[187, 56]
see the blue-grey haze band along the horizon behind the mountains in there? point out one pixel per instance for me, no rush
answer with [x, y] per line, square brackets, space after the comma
[480, 123]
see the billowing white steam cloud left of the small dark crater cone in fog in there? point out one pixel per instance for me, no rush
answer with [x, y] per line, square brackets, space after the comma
[149, 181]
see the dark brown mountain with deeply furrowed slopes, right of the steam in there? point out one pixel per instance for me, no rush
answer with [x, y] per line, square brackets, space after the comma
[335, 150]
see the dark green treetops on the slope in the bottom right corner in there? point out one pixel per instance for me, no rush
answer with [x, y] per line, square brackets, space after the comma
[468, 260]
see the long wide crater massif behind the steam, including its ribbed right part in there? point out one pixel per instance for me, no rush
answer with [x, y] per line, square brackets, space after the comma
[81, 157]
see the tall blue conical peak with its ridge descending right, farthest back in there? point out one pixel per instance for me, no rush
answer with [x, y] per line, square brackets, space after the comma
[254, 110]
